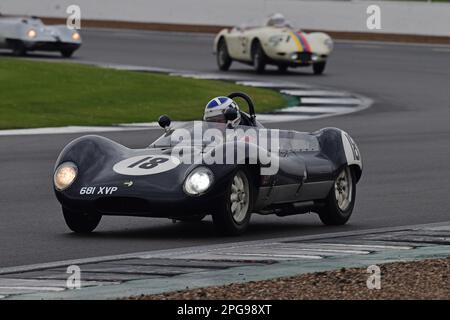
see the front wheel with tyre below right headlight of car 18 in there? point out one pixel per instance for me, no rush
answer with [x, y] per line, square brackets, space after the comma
[233, 216]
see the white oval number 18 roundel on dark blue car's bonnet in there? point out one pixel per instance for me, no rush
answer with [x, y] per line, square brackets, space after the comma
[146, 165]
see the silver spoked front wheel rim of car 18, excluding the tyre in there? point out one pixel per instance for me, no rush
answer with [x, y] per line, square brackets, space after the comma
[239, 197]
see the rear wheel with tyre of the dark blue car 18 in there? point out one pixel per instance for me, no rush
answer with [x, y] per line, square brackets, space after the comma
[341, 199]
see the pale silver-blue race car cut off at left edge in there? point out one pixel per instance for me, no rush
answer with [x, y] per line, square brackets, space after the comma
[22, 34]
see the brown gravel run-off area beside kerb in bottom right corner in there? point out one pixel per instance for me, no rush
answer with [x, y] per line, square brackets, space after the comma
[426, 279]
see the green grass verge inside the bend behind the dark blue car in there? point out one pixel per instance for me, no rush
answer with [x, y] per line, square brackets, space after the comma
[43, 94]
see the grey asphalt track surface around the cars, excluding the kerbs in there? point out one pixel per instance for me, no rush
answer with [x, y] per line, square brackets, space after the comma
[404, 139]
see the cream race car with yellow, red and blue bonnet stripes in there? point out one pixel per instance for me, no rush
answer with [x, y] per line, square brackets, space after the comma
[275, 43]
